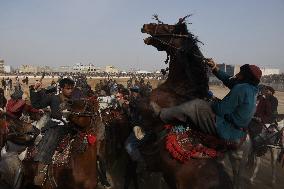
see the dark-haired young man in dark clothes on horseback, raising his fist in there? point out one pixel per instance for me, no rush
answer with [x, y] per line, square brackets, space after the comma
[56, 127]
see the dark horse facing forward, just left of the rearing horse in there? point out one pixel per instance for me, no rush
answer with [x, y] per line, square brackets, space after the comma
[117, 129]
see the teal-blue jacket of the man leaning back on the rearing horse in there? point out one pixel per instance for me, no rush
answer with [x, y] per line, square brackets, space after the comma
[235, 110]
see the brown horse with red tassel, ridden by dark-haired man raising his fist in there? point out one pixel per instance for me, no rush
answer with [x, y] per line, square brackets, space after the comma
[80, 171]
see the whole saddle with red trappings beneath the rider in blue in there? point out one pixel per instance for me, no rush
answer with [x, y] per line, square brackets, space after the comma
[184, 144]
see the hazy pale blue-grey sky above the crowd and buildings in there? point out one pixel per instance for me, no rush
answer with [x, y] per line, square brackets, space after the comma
[108, 32]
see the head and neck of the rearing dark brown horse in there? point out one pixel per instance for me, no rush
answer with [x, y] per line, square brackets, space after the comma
[187, 72]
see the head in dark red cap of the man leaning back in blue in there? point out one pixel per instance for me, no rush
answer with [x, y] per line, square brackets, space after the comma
[249, 74]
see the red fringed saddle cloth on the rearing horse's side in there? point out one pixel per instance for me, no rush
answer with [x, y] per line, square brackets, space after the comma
[188, 144]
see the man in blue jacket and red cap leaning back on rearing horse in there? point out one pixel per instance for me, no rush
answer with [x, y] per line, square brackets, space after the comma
[228, 118]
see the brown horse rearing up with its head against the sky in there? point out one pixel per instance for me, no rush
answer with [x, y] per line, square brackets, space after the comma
[187, 79]
